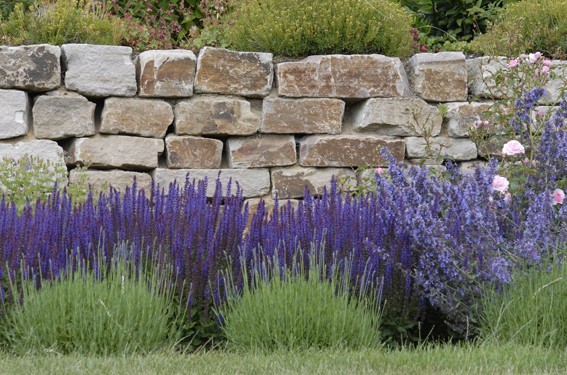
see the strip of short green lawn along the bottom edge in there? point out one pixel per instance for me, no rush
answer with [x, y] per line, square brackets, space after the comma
[447, 359]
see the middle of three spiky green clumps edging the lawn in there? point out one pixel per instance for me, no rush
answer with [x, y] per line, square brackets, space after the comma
[298, 308]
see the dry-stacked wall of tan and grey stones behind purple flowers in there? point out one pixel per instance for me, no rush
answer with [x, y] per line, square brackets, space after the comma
[275, 128]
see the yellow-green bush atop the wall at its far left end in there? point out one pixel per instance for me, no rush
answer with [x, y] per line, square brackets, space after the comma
[62, 21]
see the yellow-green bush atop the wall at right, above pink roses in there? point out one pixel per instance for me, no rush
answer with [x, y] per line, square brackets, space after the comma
[529, 25]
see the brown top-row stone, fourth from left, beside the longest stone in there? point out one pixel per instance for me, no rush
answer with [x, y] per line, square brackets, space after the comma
[220, 71]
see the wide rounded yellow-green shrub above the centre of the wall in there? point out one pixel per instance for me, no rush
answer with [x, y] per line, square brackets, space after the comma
[306, 27]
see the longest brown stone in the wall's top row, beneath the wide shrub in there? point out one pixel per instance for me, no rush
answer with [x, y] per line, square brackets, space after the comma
[343, 76]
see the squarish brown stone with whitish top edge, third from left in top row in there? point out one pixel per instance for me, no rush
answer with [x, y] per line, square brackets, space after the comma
[167, 74]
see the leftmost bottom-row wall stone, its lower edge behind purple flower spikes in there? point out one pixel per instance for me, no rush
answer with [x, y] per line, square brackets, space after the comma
[102, 181]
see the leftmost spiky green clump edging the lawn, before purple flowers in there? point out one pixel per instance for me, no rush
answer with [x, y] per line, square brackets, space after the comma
[111, 307]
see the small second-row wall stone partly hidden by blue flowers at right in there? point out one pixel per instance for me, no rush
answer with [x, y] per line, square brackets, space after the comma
[460, 117]
